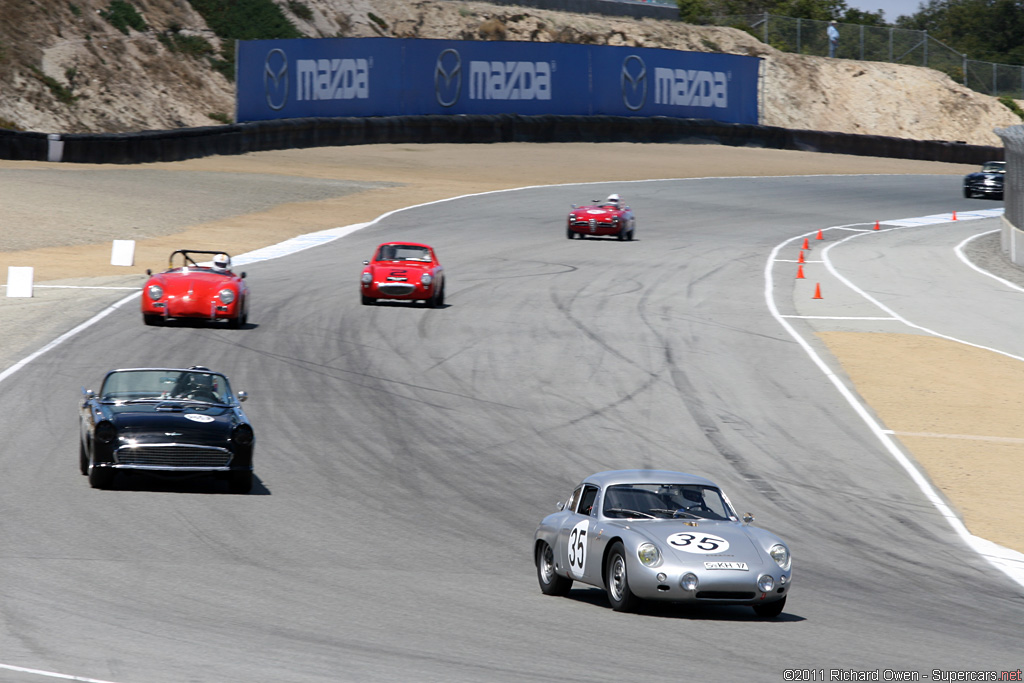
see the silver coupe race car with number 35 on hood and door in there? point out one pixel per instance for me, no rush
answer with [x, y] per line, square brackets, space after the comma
[653, 535]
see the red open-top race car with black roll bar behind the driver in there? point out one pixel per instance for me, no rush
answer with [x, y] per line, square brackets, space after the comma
[198, 292]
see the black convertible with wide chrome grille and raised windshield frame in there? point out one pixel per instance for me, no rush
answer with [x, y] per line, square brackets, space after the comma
[166, 422]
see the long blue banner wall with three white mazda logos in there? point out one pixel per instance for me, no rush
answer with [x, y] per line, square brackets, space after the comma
[345, 77]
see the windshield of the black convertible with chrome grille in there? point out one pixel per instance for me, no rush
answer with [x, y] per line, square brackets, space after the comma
[166, 385]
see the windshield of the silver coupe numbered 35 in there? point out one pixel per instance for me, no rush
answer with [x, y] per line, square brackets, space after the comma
[669, 501]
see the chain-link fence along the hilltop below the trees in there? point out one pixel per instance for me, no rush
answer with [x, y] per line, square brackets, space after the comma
[872, 44]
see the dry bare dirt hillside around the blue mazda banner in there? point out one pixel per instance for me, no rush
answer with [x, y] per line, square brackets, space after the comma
[65, 68]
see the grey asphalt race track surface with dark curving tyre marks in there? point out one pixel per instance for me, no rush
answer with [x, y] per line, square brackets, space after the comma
[405, 457]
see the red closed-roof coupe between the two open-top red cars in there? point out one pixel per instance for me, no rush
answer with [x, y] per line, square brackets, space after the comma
[404, 271]
